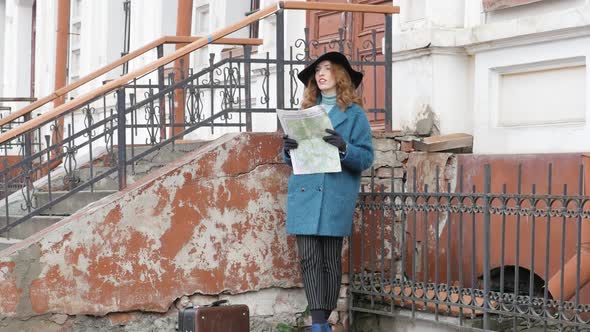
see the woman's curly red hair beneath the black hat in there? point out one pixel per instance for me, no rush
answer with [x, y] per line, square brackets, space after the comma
[345, 92]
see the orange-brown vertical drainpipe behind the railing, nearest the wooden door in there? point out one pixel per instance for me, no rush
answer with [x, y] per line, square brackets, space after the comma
[183, 28]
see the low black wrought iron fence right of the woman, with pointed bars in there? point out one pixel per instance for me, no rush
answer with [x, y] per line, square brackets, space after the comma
[514, 261]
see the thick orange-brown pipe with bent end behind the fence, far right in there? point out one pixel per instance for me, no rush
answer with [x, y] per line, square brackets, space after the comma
[570, 269]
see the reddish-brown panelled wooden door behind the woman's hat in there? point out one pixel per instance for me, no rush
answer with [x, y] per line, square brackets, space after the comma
[359, 43]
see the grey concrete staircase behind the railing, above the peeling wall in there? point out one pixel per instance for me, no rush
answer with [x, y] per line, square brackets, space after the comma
[101, 189]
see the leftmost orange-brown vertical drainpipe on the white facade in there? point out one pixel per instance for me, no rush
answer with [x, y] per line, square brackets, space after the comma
[61, 61]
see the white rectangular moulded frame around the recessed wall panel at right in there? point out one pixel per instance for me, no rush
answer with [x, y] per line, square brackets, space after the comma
[556, 135]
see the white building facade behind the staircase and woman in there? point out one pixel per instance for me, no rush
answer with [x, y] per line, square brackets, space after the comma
[515, 78]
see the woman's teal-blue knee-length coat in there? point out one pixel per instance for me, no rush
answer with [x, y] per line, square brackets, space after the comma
[324, 203]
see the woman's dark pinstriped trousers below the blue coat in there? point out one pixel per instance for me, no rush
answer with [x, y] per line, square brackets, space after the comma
[321, 269]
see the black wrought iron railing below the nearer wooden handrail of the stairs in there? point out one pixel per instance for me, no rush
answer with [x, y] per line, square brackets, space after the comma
[229, 94]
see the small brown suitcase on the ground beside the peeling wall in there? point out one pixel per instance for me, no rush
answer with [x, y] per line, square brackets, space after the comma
[216, 317]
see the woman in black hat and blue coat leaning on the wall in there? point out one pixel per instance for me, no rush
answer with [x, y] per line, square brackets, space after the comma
[320, 206]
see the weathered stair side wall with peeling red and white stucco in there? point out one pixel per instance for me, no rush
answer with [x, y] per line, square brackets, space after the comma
[209, 223]
